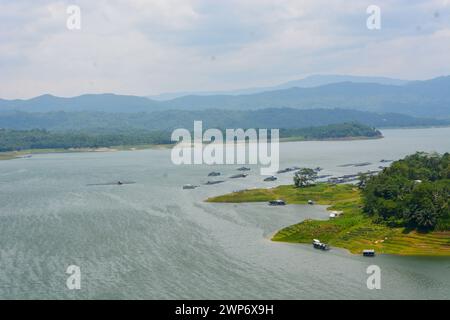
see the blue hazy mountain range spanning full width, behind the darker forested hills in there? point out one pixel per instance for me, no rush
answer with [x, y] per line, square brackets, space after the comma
[430, 99]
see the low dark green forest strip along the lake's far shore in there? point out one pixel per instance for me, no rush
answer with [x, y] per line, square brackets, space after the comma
[15, 140]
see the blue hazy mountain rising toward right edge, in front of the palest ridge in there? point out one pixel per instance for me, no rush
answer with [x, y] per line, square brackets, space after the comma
[429, 98]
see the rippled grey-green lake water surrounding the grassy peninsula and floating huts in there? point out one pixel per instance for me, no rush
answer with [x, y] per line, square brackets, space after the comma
[153, 240]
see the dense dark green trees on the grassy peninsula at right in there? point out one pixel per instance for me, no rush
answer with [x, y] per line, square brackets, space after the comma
[413, 192]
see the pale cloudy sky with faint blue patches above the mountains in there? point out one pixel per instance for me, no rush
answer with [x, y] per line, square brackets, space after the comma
[147, 47]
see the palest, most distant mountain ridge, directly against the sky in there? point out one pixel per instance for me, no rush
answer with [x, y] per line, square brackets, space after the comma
[308, 82]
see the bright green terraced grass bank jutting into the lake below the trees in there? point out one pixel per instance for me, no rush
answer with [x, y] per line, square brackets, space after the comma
[353, 230]
